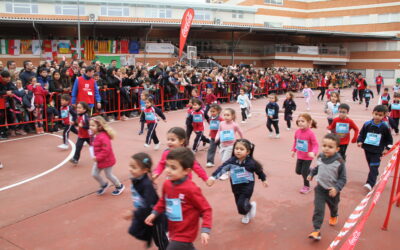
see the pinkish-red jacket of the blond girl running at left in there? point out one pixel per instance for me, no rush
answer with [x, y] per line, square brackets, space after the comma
[103, 150]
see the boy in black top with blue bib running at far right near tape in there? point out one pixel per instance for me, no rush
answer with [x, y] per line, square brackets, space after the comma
[375, 138]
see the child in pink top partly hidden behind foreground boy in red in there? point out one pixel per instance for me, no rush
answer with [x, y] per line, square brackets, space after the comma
[176, 138]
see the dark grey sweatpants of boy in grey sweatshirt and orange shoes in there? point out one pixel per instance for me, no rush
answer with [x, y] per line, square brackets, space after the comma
[322, 197]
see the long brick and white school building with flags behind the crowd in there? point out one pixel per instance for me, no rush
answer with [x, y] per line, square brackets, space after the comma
[357, 35]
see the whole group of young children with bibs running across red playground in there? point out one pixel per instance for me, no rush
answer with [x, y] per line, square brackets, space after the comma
[181, 204]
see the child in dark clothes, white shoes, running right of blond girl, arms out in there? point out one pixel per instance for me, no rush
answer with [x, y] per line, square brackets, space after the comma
[149, 116]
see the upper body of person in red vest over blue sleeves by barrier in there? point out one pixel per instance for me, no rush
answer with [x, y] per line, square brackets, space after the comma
[85, 89]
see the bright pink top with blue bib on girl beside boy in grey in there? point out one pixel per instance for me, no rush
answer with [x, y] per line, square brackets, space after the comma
[305, 142]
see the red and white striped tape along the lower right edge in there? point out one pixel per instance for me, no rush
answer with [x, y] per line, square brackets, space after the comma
[358, 211]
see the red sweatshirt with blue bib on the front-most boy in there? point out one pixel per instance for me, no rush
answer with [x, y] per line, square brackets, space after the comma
[188, 199]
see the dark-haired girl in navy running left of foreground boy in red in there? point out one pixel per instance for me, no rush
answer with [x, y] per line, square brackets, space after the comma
[144, 198]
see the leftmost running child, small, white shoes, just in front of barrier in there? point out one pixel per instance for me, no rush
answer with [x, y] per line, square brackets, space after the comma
[68, 117]
